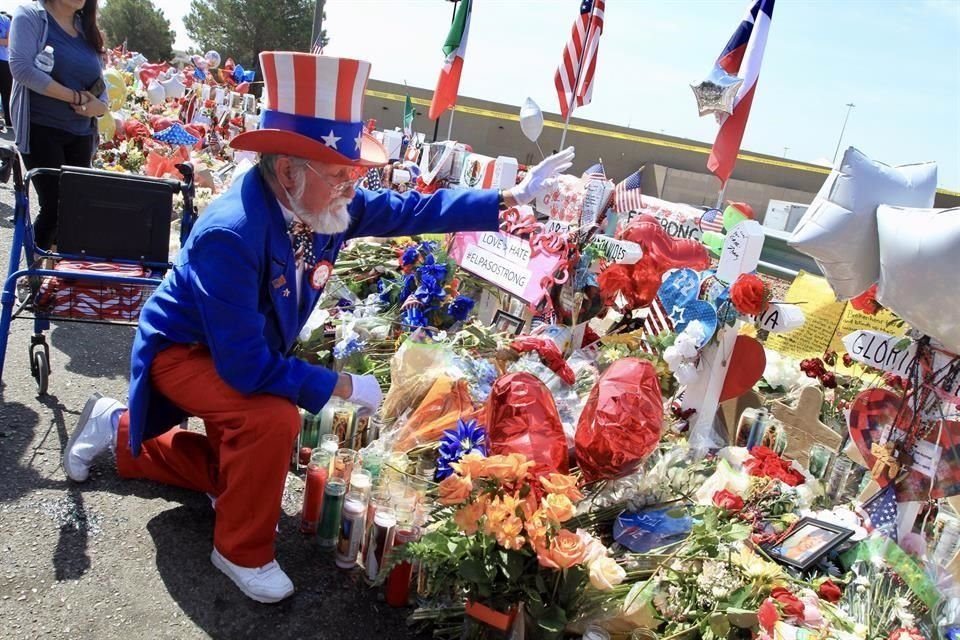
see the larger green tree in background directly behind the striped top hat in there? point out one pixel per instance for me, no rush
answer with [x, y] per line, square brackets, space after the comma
[241, 29]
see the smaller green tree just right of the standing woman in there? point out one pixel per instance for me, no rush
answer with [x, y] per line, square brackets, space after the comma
[141, 24]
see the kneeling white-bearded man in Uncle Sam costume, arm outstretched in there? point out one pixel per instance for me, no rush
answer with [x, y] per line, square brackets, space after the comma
[214, 339]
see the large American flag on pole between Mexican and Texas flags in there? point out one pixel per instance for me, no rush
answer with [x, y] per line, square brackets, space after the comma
[574, 77]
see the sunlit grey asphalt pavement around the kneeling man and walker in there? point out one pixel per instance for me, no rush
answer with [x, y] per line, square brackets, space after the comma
[130, 559]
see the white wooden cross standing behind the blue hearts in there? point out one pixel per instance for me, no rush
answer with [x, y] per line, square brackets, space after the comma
[741, 254]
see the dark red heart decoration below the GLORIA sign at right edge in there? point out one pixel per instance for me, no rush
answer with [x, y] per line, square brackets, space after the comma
[874, 415]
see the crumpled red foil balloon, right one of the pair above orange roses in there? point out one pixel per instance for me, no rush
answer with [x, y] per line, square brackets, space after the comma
[622, 421]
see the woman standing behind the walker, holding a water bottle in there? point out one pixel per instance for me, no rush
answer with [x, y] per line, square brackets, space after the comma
[56, 98]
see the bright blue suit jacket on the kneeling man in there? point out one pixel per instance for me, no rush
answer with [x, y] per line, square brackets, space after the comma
[221, 293]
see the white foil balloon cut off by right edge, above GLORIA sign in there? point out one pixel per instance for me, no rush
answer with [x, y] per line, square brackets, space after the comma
[919, 263]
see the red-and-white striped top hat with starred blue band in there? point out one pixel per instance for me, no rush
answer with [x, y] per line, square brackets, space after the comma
[313, 109]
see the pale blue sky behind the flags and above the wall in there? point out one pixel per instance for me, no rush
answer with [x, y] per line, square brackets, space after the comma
[898, 61]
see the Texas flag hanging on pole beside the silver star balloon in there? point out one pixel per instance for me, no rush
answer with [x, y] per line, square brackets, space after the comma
[741, 57]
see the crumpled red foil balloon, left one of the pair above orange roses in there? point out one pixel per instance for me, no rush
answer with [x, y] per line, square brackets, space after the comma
[521, 417]
